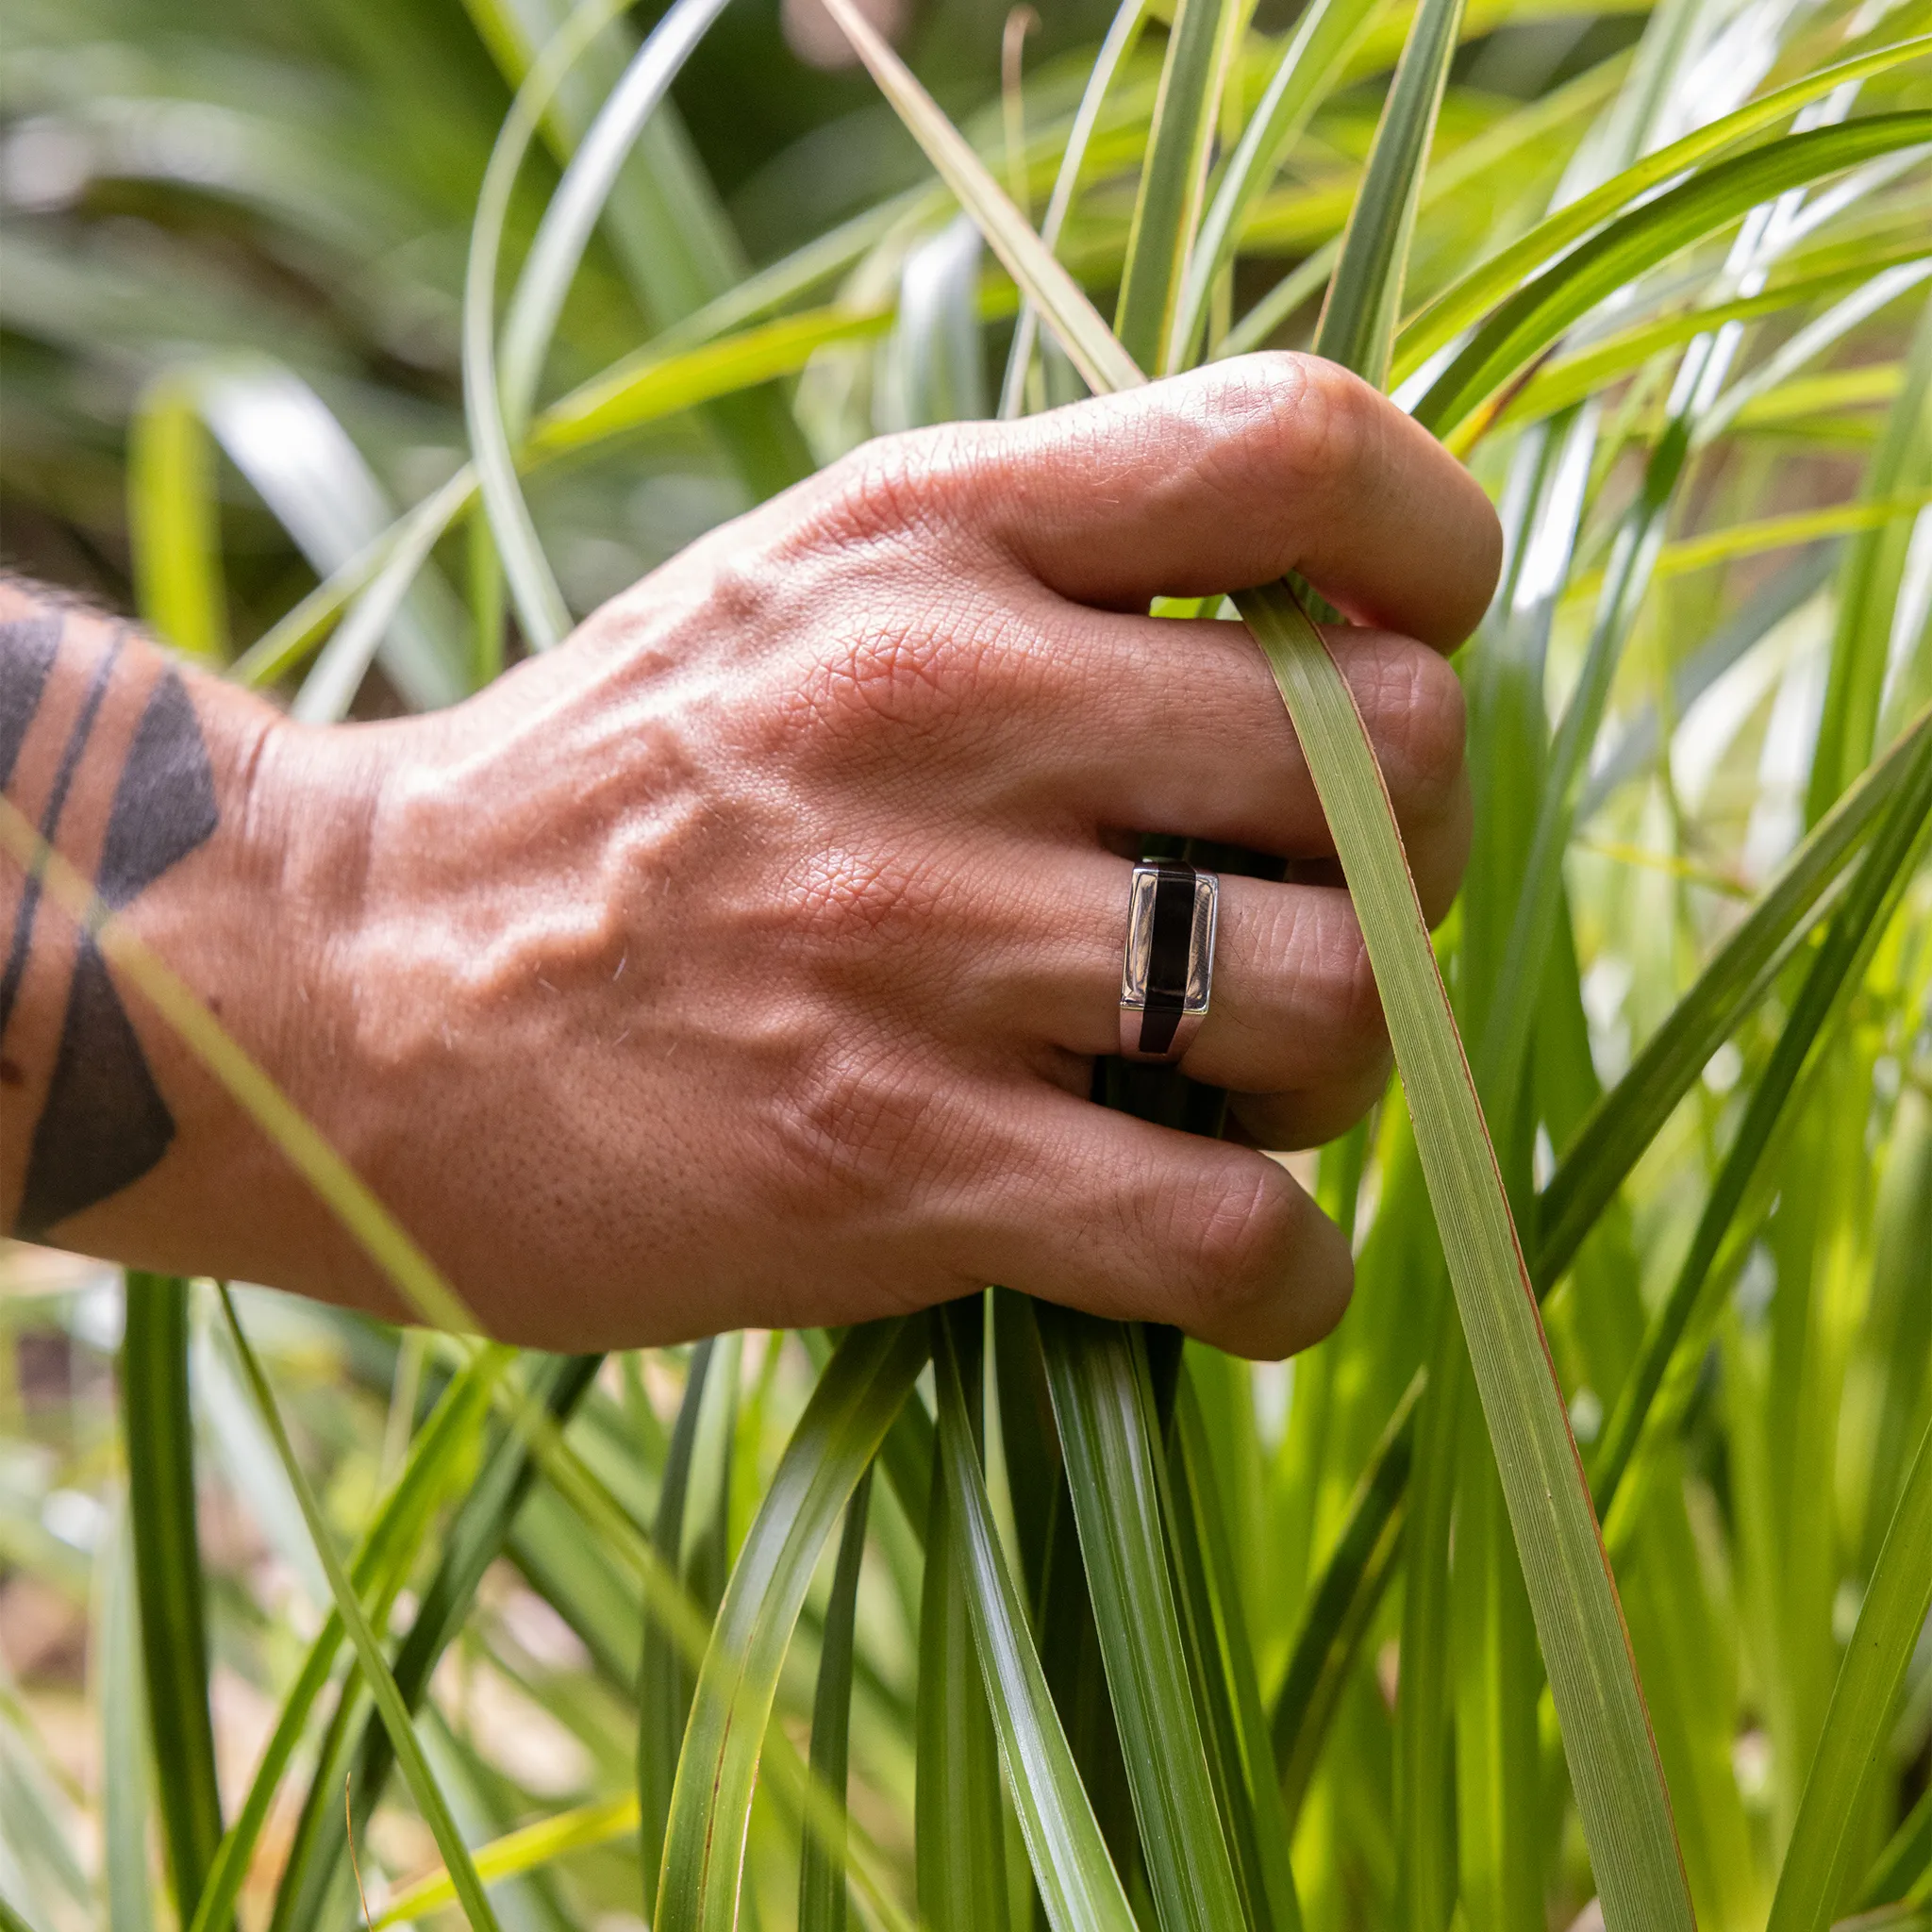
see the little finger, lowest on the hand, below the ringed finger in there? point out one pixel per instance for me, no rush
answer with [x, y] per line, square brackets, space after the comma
[1137, 1222]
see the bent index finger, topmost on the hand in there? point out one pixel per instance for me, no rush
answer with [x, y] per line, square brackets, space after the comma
[1234, 476]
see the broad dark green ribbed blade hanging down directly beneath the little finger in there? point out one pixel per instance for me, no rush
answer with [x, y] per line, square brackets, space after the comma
[1106, 1415]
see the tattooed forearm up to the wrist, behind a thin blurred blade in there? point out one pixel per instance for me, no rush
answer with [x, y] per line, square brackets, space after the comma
[177, 801]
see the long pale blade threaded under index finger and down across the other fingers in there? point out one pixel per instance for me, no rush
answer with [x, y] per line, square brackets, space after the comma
[1614, 1761]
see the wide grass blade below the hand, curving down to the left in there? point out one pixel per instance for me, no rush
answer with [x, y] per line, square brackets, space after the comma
[836, 1440]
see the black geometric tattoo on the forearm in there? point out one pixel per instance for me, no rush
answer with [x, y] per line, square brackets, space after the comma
[103, 1122]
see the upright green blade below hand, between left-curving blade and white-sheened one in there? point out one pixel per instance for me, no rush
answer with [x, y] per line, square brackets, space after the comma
[959, 1833]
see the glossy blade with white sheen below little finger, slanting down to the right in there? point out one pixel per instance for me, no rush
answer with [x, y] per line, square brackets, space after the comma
[1071, 1865]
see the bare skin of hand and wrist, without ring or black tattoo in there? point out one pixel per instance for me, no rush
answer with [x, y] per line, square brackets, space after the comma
[743, 961]
